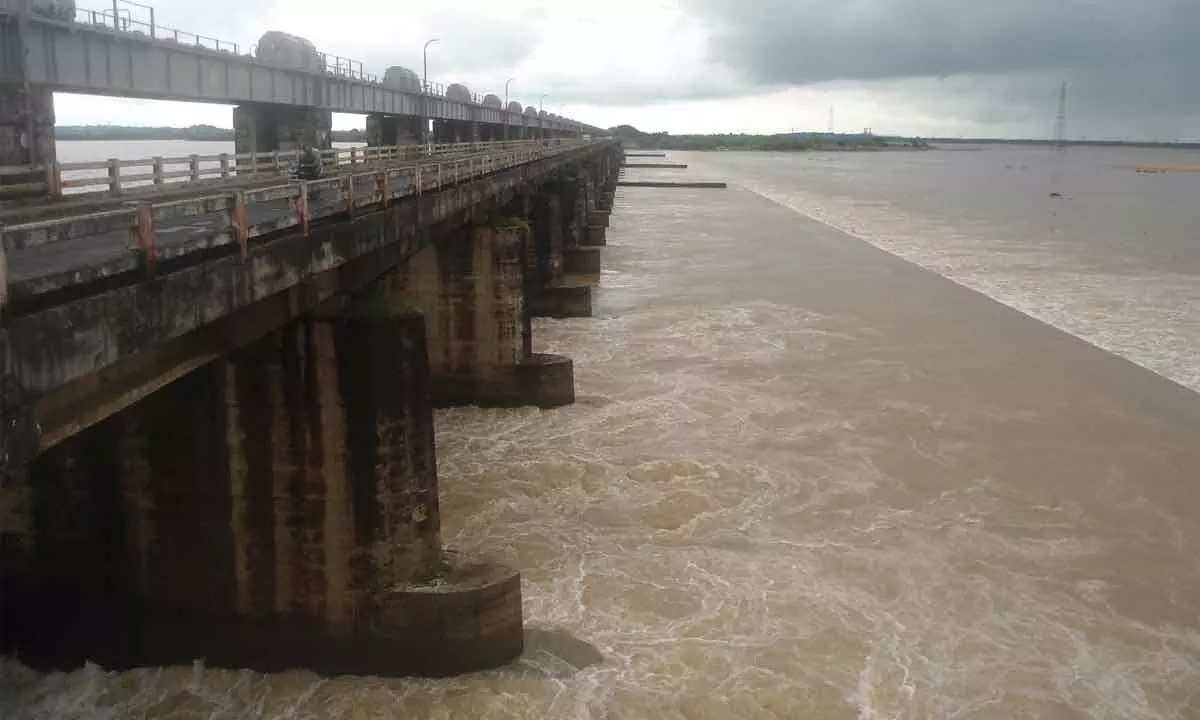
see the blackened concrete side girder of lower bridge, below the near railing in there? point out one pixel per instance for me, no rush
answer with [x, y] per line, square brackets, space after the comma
[100, 328]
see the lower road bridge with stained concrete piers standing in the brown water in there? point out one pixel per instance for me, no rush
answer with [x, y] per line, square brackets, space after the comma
[217, 401]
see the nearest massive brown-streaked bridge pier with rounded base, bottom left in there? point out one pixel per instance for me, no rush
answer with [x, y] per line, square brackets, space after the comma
[274, 511]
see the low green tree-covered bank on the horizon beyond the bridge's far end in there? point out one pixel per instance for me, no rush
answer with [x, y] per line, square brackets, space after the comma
[785, 142]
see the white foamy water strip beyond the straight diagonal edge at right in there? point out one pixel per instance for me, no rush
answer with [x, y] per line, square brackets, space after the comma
[1150, 317]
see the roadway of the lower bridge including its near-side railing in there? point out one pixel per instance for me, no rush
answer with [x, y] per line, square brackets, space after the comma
[103, 238]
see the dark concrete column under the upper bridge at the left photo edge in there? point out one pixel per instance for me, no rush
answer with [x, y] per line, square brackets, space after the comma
[27, 137]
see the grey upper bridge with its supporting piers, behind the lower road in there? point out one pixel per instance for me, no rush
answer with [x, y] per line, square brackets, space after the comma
[284, 89]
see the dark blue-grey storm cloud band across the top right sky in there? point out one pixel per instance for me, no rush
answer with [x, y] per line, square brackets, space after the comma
[811, 41]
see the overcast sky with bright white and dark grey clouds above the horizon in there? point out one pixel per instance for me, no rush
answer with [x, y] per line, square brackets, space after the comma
[927, 68]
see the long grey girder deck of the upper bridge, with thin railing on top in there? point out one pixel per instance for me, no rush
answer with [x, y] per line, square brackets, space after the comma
[131, 58]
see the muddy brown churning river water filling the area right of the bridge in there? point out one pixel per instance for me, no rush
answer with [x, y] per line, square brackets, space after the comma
[806, 479]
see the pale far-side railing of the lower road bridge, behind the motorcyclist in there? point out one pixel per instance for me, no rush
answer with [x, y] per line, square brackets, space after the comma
[121, 177]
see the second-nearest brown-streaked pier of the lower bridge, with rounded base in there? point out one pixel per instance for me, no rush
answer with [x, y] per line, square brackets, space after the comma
[471, 289]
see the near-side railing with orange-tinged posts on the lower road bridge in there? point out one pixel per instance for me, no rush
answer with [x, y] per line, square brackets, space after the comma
[293, 205]
